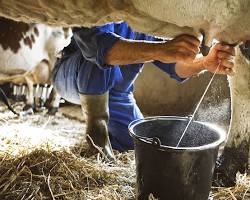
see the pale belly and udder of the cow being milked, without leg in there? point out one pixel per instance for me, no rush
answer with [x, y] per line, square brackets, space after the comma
[223, 20]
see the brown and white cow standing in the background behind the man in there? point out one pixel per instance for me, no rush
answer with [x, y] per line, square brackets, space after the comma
[28, 54]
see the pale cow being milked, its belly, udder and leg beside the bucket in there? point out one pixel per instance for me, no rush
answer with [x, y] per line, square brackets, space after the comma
[226, 21]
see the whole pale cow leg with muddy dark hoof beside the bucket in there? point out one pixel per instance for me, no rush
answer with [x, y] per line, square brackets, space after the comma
[235, 156]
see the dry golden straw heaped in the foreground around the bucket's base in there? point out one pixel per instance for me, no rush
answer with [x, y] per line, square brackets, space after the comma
[46, 174]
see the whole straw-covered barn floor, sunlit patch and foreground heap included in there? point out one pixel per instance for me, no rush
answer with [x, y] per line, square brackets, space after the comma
[40, 159]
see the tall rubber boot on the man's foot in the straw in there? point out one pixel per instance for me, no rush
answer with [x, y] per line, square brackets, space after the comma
[96, 110]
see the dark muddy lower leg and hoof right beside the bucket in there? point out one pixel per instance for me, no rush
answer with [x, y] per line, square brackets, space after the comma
[229, 164]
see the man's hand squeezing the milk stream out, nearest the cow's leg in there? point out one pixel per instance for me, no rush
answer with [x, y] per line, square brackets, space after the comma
[222, 55]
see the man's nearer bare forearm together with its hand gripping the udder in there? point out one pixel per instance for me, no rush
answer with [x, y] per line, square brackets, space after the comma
[183, 48]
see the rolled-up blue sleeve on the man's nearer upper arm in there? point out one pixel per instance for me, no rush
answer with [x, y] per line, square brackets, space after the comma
[94, 44]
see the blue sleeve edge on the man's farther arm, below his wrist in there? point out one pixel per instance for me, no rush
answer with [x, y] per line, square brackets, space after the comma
[170, 69]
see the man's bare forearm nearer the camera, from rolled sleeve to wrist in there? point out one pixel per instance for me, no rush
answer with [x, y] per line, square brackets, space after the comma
[130, 52]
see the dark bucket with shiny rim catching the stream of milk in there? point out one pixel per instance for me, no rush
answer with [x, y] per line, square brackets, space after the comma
[169, 172]
